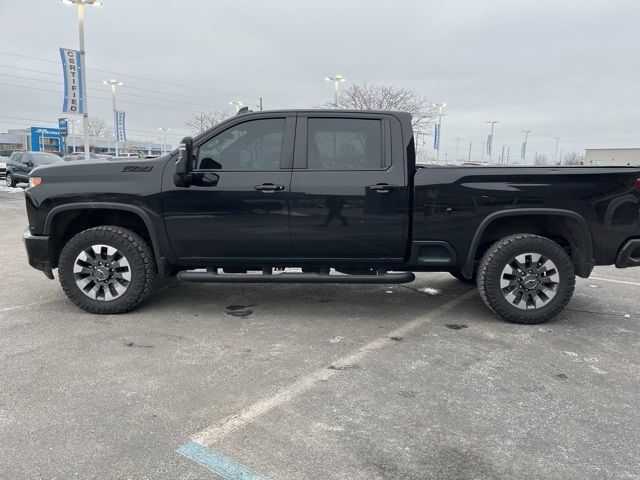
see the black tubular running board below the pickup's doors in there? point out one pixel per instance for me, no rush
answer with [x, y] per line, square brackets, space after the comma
[208, 277]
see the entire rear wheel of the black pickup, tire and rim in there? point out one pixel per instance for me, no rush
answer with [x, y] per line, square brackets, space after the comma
[526, 278]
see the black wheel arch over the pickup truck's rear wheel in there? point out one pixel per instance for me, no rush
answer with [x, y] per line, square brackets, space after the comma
[565, 225]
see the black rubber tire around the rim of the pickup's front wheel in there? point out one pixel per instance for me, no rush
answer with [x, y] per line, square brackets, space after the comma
[136, 251]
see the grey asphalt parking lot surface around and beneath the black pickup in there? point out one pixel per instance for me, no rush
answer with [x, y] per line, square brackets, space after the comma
[419, 381]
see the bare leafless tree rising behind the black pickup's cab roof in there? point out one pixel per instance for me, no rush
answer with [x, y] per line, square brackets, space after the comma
[389, 97]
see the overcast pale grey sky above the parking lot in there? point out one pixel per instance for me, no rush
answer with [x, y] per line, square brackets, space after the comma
[565, 68]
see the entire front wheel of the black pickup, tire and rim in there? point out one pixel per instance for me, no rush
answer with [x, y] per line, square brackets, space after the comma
[106, 270]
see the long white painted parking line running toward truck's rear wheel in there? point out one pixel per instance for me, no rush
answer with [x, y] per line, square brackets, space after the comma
[214, 433]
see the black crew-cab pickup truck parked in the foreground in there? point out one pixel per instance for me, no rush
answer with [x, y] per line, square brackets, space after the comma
[337, 196]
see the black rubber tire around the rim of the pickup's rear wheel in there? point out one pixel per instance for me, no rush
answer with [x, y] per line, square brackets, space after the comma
[500, 254]
